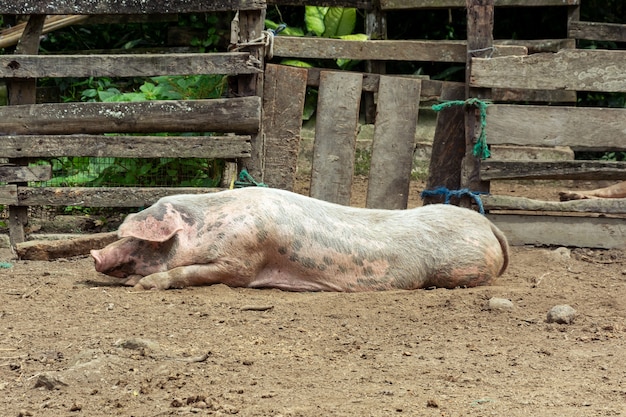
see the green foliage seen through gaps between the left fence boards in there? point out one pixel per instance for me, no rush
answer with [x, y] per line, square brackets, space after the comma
[190, 172]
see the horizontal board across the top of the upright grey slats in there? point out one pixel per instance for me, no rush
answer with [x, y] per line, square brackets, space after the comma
[327, 48]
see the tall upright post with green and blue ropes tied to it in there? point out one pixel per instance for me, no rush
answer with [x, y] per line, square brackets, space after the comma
[479, 44]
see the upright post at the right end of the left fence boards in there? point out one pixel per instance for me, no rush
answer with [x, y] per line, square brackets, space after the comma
[250, 28]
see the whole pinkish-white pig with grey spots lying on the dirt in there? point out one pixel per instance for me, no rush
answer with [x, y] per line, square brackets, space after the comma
[263, 237]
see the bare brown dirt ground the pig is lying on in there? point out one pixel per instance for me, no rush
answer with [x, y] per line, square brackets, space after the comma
[73, 342]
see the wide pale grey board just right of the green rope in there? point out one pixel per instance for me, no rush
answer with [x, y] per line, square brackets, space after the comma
[578, 127]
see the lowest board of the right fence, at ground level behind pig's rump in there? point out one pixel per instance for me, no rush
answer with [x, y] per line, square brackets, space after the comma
[599, 232]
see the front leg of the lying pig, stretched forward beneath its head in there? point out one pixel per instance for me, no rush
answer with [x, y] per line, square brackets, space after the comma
[191, 275]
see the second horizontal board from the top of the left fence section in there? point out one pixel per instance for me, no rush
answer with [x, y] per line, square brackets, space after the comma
[123, 65]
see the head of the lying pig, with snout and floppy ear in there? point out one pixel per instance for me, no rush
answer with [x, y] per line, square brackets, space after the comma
[148, 241]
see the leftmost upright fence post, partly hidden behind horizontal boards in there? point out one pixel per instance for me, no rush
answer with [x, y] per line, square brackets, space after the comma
[24, 91]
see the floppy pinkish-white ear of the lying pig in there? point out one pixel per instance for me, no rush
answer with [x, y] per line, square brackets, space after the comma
[144, 225]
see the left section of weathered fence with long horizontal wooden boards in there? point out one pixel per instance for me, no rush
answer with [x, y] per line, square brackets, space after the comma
[30, 130]
